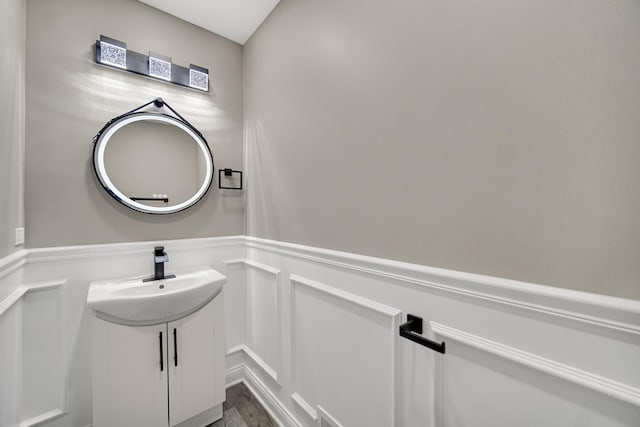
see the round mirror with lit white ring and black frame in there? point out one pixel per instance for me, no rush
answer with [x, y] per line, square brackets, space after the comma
[152, 162]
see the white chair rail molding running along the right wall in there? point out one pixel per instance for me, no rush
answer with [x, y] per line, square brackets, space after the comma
[597, 310]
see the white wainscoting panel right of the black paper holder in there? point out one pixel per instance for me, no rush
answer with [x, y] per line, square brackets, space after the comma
[482, 388]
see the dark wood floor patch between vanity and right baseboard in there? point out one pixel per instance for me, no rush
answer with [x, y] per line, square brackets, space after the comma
[242, 409]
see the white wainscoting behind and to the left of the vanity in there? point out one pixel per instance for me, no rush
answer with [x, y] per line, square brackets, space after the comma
[50, 385]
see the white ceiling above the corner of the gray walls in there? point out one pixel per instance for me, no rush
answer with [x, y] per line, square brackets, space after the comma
[236, 20]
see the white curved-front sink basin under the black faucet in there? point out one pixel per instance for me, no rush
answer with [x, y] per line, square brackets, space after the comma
[137, 303]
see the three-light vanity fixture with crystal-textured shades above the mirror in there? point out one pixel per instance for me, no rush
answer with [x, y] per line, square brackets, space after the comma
[114, 53]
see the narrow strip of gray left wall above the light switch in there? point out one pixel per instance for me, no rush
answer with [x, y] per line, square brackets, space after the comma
[12, 76]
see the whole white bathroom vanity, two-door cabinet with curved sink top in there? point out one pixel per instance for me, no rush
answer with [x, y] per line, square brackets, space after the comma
[160, 360]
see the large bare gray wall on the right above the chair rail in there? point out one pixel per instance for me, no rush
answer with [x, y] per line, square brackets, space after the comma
[496, 137]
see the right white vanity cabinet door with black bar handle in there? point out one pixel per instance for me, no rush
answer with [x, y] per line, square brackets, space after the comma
[196, 368]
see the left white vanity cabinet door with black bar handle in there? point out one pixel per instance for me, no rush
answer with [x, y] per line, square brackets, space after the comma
[130, 385]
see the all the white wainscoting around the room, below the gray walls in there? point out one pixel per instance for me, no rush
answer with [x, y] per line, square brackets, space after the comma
[326, 340]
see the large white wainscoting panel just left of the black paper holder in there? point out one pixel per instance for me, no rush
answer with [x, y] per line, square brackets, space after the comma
[344, 354]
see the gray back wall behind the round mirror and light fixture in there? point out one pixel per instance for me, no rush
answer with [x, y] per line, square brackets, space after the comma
[69, 98]
